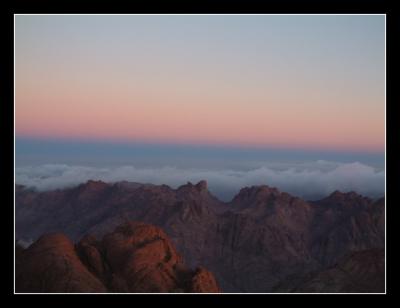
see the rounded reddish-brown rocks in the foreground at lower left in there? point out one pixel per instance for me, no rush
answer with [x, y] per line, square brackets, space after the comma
[136, 257]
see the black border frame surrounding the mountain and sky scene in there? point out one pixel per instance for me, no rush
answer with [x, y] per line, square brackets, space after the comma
[195, 7]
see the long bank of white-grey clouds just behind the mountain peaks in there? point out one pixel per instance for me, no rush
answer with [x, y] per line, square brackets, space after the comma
[310, 180]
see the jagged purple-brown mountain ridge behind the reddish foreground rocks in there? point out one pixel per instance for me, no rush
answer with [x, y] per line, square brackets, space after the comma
[250, 244]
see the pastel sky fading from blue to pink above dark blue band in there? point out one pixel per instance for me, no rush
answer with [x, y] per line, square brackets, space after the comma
[304, 82]
